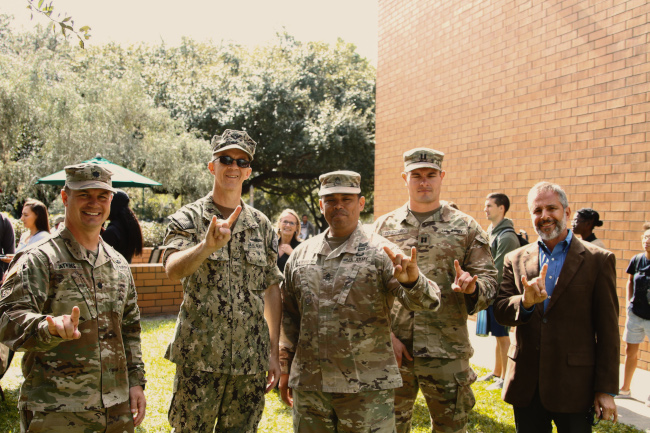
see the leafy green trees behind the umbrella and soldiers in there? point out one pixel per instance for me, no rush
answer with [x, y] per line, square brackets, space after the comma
[153, 109]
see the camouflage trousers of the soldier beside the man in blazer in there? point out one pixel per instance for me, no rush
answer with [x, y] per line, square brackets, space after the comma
[446, 386]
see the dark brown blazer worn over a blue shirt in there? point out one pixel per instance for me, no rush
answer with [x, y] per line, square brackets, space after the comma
[571, 350]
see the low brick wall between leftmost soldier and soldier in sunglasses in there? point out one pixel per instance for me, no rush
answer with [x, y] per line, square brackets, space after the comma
[157, 294]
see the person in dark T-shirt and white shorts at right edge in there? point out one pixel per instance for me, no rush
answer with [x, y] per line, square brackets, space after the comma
[637, 325]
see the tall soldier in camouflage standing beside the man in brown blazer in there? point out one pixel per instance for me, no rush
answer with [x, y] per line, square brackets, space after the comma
[434, 349]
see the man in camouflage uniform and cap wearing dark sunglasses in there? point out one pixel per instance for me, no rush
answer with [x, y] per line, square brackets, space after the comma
[228, 327]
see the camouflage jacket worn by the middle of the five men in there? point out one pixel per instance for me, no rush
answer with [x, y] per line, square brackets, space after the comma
[336, 314]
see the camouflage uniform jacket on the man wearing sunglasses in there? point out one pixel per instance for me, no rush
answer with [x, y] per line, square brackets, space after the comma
[221, 326]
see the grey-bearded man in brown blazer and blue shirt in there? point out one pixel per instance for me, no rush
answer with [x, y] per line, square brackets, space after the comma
[560, 294]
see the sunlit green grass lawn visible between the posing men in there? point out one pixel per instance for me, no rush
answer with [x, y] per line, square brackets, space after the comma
[490, 415]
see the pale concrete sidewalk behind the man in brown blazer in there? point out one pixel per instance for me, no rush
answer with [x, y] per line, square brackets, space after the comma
[630, 411]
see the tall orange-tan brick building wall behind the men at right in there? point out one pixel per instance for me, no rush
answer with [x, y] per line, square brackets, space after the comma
[517, 92]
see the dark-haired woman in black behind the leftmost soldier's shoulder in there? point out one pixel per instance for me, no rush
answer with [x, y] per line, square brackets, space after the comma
[123, 232]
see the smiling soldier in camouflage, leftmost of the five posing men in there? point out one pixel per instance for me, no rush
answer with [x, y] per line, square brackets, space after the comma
[69, 302]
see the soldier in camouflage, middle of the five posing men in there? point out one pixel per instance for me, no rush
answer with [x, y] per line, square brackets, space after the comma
[340, 286]
